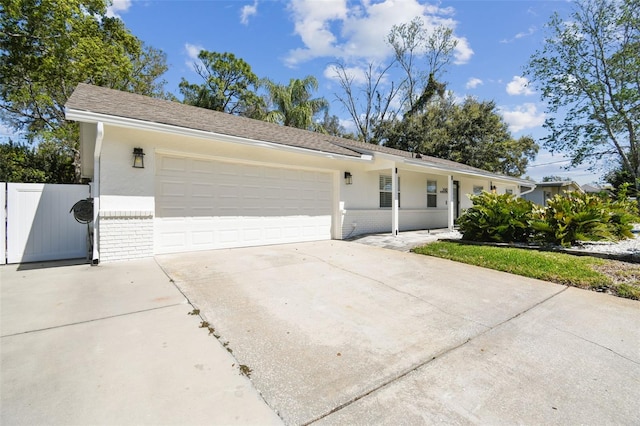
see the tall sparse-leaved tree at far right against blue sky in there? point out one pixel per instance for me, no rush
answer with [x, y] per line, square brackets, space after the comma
[589, 73]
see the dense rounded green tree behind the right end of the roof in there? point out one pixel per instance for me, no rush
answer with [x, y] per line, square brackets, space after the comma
[471, 133]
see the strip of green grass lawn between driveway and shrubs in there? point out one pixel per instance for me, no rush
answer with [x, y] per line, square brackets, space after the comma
[584, 272]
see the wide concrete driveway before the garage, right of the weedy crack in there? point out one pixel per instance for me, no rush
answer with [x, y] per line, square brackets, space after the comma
[343, 333]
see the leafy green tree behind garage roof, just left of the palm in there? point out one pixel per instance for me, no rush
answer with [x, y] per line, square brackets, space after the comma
[229, 85]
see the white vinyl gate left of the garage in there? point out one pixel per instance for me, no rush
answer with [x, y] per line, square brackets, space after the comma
[39, 226]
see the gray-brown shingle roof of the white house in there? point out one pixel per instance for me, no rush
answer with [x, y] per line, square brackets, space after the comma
[115, 103]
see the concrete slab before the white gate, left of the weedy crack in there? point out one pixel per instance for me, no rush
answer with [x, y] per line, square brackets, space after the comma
[113, 345]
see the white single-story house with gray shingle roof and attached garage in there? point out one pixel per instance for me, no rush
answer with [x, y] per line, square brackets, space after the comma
[168, 177]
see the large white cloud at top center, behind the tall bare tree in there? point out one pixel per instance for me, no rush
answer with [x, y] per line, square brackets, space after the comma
[354, 31]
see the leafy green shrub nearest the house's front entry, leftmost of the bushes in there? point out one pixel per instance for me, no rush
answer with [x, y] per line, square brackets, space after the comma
[497, 218]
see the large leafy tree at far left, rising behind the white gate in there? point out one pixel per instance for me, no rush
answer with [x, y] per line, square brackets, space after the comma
[47, 47]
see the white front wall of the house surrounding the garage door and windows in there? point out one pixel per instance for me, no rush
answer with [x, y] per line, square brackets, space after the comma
[127, 194]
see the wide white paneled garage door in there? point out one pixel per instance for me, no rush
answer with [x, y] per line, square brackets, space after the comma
[203, 204]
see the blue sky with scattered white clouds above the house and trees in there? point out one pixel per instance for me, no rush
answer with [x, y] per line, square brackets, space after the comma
[292, 39]
